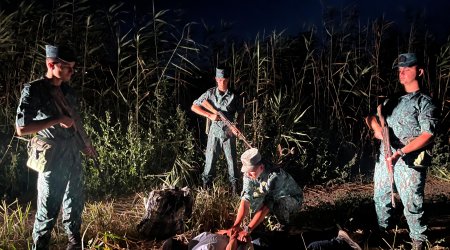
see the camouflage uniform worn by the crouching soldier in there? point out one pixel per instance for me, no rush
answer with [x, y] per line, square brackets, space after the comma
[276, 189]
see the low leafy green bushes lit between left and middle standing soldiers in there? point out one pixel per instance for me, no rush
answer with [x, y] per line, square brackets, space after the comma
[134, 159]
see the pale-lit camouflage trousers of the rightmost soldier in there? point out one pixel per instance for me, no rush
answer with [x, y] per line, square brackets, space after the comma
[410, 185]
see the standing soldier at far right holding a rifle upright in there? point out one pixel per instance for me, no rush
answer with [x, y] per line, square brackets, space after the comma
[412, 120]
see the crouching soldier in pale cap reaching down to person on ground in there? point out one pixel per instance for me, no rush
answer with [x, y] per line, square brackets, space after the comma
[266, 188]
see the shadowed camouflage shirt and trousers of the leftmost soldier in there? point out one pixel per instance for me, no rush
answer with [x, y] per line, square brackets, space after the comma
[61, 181]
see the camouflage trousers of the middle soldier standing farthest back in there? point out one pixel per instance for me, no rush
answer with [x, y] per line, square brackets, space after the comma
[214, 148]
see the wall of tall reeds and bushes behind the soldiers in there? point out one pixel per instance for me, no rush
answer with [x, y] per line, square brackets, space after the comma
[139, 71]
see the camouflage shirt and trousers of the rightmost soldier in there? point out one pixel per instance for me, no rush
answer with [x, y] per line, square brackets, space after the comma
[412, 115]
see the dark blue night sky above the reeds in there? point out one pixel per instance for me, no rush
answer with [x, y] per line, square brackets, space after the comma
[248, 17]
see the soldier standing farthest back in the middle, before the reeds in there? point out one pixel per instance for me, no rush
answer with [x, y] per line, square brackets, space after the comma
[219, 137]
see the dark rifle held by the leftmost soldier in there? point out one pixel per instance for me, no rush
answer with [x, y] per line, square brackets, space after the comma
[64, 108]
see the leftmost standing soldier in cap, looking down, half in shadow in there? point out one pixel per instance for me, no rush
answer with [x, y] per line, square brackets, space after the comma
[56, 152]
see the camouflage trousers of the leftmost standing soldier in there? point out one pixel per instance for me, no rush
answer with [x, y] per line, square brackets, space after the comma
[60, 185]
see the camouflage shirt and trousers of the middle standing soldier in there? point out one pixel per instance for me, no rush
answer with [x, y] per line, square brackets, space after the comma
[218, 137]
